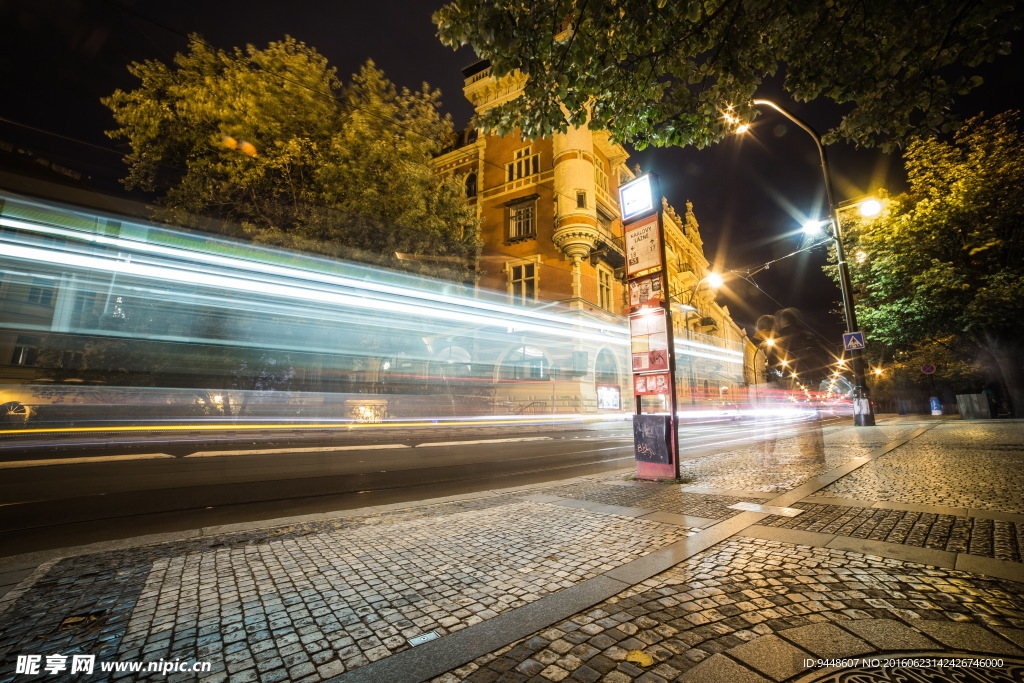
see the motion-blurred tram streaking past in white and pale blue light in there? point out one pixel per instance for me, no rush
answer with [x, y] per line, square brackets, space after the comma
[108, 321]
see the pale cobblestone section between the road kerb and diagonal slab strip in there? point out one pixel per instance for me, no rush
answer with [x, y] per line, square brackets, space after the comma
[315, 602]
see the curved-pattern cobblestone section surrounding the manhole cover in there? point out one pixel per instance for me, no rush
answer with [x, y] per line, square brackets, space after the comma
[771, 606]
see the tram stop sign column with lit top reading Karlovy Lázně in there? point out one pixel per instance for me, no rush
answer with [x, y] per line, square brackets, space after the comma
[652, 346]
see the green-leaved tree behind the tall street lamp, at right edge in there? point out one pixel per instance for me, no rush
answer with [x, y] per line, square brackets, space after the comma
[948, 258]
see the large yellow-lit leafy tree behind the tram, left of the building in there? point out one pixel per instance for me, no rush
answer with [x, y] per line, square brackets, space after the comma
[271, 141]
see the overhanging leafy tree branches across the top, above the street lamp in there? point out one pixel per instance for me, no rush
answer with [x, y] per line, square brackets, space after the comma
[654, 72]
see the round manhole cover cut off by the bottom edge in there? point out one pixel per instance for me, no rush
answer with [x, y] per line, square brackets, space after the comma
[920, 668]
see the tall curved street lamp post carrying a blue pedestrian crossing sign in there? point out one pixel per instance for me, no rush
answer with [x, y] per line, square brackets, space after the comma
[863, 413]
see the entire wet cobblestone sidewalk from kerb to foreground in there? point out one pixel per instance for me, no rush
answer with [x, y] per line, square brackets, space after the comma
[601, 579]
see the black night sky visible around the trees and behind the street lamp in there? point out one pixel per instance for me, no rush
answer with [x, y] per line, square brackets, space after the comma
[750, 193]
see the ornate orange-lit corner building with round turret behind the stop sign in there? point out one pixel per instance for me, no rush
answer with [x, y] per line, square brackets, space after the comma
[552, 235]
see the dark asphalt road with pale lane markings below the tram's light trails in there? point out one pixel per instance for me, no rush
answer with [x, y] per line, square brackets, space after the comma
[82, 493]
